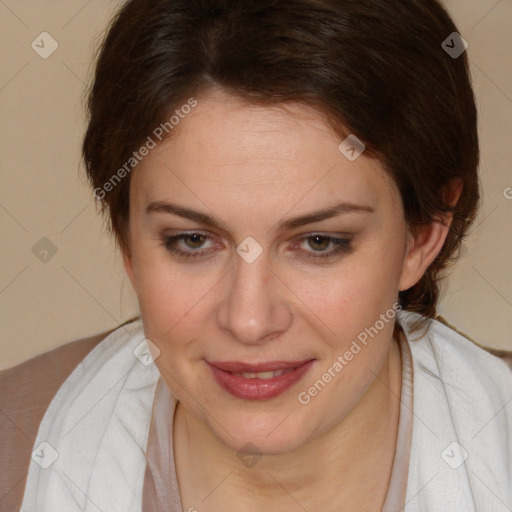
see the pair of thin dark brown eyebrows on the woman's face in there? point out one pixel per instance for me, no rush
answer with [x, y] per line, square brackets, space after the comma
[290, 223]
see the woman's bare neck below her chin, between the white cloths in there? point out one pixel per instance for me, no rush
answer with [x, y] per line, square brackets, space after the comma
[350, 464]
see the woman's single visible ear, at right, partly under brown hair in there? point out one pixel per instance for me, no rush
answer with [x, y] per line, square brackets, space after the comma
[425, 244]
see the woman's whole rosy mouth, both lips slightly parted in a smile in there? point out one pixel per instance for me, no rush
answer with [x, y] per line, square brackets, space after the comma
[258, 389]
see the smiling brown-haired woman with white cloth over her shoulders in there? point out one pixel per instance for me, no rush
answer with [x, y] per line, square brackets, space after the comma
[288, 182]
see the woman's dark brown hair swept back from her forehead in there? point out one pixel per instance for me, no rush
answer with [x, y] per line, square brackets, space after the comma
[375, 69]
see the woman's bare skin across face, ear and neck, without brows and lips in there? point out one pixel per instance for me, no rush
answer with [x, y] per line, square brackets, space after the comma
[250, 167]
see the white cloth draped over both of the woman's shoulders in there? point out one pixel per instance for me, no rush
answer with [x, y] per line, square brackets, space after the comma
[89, 454]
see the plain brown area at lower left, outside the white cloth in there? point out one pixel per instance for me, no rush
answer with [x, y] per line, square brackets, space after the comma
[26, 391]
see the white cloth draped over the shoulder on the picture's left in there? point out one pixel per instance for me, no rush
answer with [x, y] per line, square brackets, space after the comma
[98, 424]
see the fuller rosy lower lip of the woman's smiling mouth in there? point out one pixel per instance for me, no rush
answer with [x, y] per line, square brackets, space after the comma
[258, 389]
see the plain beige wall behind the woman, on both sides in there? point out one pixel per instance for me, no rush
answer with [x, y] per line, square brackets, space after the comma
[45, 204]
